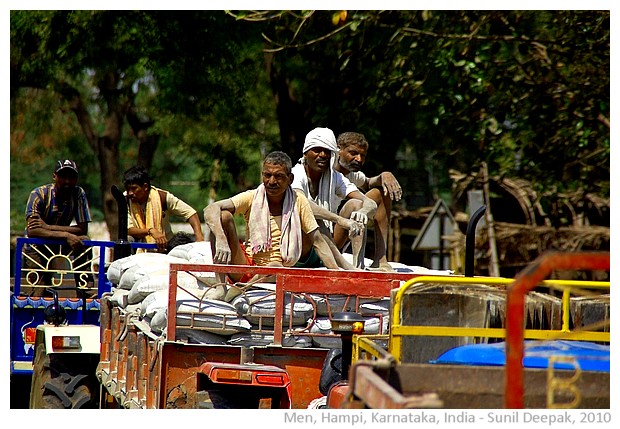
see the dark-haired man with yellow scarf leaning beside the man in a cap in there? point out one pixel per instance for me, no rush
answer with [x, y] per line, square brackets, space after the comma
[150, 208]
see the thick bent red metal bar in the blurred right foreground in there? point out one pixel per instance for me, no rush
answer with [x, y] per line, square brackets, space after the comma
[527, 280]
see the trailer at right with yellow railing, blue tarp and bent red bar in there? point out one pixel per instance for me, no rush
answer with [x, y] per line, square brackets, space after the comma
[514, 366]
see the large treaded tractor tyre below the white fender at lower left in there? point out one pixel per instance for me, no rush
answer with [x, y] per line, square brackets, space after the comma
[63, 381]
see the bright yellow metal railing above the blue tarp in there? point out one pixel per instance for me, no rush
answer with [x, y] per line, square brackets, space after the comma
[365, 345]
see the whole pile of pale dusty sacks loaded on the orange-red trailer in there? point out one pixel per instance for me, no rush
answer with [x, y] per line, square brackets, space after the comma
[215, 313]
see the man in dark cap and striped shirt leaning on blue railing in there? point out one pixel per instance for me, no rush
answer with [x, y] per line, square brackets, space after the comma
[59, 210]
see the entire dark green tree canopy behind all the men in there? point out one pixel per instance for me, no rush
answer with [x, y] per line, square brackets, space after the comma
[199, 97]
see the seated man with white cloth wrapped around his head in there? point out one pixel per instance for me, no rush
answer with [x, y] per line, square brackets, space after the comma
[326, 188]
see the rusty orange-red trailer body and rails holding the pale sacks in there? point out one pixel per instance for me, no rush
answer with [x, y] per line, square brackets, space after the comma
[139, 368]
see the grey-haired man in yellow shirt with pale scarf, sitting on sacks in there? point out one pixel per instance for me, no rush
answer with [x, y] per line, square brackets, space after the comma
[281, 228]
